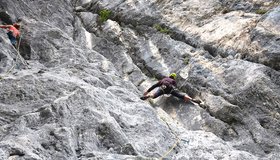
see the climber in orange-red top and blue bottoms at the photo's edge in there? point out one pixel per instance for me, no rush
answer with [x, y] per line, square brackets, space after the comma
[13, 32]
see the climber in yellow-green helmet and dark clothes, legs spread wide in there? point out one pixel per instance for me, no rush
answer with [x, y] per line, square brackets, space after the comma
[167, 86]
